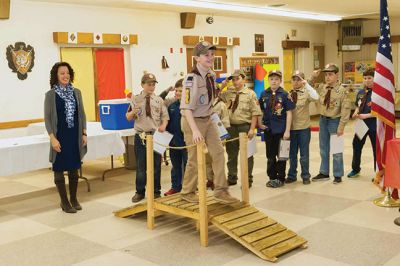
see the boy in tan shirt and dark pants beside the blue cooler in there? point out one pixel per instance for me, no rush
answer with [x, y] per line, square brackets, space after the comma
[150, 114]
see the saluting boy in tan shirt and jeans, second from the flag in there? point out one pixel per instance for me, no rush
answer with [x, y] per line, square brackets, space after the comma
[335, 112]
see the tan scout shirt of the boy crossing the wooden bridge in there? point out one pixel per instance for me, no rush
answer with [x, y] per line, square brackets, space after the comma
[195, 94]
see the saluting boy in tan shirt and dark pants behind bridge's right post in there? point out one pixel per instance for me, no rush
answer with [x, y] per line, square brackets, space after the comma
[244, 111]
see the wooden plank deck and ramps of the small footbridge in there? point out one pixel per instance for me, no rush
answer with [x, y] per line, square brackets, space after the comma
[259, 233]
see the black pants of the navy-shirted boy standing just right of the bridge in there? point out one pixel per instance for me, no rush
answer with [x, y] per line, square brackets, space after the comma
[275, 168]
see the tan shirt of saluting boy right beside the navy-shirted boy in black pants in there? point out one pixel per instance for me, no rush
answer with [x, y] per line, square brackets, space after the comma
[301, 114]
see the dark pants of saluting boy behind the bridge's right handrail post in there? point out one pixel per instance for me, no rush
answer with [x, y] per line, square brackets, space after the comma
[232, 148]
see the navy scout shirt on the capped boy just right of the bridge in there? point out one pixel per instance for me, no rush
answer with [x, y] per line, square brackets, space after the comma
[275, 118]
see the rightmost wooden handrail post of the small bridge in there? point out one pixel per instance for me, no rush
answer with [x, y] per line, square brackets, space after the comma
[244, 166]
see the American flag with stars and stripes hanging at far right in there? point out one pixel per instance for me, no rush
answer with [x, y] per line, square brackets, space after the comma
[383, 93]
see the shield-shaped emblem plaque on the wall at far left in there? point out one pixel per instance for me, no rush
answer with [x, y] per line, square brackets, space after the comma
[20, 59]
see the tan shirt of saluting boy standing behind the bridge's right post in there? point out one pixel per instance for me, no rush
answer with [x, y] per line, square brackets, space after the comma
[247, 107]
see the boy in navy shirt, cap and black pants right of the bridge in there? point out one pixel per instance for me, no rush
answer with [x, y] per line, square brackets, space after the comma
[277, 119]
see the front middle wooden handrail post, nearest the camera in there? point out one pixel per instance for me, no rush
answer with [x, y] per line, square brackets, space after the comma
[201, 172]
